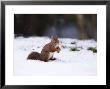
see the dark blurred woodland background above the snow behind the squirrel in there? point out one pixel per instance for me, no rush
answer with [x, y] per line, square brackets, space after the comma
[80, 26]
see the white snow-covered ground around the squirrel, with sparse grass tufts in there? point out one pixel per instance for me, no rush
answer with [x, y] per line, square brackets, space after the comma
[83, 62]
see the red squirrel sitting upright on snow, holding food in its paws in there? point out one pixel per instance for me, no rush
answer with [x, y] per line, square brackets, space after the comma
[47, 51]
